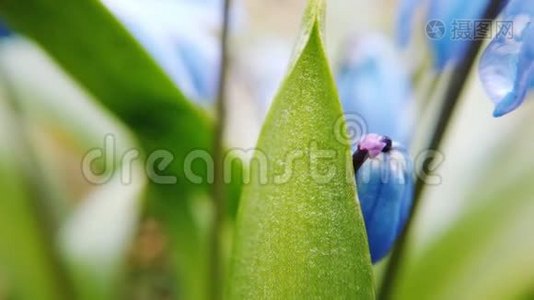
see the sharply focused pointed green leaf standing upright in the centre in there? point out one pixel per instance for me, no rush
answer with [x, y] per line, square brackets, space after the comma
[304, 237]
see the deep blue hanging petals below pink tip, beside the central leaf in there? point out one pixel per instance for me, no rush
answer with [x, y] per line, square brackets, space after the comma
[385, 190]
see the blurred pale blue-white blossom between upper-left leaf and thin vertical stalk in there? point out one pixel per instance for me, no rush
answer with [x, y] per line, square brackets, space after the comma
[182, 36]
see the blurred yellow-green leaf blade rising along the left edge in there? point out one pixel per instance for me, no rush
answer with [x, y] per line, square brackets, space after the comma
[28, 258]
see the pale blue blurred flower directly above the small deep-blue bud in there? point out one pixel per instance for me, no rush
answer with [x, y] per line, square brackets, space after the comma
[373, 84]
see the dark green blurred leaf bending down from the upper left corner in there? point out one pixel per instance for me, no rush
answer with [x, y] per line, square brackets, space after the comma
[97, 51]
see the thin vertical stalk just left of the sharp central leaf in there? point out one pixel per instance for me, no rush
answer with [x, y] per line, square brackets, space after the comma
[218, 189]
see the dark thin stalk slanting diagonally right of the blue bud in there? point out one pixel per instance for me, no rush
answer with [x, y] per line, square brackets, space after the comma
[458, 80]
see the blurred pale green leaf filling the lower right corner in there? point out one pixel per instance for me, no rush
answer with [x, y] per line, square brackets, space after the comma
[487, 253]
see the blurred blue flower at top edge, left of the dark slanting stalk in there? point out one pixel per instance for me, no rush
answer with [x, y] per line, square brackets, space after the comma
[451, 45]
